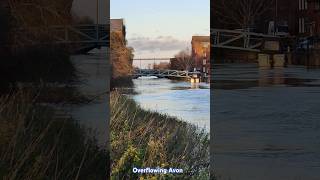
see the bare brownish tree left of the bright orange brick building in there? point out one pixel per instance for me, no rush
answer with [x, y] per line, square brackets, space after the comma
[182, 61]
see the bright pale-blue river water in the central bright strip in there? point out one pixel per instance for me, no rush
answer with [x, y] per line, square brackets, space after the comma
[186, 101]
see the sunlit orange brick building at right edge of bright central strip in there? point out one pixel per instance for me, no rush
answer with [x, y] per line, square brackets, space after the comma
[201, 53]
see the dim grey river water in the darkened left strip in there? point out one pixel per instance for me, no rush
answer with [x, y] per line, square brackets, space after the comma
[94, 73]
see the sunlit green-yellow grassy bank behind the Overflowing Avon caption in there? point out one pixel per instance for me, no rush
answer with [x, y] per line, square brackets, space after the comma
[141, 138]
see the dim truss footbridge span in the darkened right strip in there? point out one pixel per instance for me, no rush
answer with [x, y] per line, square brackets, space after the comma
[238, 40]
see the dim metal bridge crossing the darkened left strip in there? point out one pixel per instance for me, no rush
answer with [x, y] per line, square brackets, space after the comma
[82, 38]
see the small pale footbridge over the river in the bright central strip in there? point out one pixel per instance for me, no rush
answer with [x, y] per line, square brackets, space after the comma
[165, 73]
